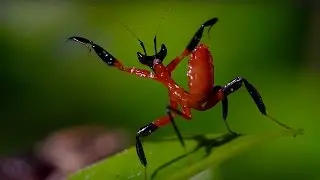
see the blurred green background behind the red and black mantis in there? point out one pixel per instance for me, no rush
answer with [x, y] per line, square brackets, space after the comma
[47, 83]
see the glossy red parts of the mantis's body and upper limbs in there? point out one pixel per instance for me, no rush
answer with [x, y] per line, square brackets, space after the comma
[200, 81]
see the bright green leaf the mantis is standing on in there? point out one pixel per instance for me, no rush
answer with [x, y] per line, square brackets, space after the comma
[168, 160]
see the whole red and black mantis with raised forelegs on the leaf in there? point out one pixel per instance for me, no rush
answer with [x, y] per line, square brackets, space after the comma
[203, 94]
